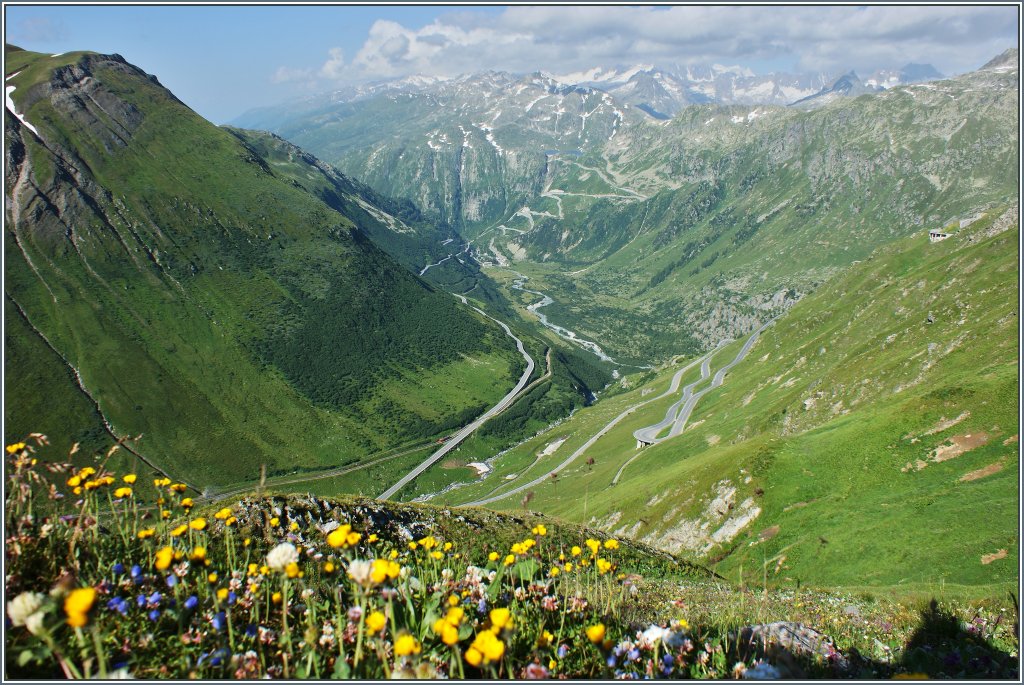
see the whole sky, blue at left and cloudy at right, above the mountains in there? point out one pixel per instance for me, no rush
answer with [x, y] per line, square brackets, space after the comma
[224, 61]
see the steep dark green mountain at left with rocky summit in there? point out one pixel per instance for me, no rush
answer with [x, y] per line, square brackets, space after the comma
[201, 298]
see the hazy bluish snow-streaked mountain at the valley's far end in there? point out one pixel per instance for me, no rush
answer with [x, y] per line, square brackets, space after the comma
[467, 151]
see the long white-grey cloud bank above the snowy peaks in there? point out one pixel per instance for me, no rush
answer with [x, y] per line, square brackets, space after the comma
[567, 38]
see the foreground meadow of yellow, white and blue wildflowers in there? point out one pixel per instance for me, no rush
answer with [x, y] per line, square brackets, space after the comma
[120, 575]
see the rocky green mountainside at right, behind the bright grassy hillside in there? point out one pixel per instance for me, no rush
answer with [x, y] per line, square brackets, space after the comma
[704, 228]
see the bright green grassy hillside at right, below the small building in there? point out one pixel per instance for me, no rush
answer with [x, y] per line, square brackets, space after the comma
[817, 429]
